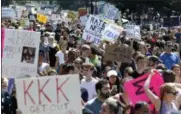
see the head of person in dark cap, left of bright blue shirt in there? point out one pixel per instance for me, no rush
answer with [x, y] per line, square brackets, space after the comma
[153, 61]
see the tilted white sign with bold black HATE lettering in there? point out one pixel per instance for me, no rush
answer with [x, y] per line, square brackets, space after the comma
[93, 30]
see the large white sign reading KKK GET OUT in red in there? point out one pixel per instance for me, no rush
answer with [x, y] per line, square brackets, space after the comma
[49, 95]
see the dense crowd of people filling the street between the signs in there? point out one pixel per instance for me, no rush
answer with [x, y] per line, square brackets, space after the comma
[63, 51]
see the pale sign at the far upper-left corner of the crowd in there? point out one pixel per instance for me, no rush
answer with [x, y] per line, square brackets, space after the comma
[8, 13]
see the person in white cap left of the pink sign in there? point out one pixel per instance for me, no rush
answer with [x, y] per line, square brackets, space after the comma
[113, 81]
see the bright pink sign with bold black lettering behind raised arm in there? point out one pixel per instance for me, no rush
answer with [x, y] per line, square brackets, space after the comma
[135, 91]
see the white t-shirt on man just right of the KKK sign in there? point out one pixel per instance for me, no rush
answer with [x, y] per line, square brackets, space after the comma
[90, 87]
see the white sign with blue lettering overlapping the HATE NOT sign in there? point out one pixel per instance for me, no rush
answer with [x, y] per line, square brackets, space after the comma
[111, 33]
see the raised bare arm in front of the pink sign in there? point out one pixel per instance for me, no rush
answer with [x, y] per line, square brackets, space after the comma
[153, 98]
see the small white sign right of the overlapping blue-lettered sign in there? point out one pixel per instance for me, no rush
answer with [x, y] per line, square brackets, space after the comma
[133, 31]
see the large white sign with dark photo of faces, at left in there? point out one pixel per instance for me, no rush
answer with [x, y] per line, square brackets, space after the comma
[20, 54]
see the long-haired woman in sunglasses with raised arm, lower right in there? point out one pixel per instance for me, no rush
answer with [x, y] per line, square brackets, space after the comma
[168, 100]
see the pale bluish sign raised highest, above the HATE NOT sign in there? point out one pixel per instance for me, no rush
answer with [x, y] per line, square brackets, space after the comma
[111, 12]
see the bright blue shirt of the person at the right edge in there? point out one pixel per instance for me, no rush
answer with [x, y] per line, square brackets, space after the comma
[169, 59]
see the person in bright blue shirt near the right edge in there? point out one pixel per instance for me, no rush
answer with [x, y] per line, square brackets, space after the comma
[168, 57]
